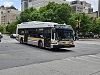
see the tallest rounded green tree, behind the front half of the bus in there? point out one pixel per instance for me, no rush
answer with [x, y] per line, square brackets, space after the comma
[55, 12]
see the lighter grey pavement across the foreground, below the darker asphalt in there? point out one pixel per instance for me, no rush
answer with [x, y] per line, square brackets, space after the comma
[83, 65]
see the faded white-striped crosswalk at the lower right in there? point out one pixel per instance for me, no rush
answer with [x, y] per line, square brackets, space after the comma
[88, 59]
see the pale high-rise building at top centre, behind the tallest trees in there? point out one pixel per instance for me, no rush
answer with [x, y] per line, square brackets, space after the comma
[37, 3]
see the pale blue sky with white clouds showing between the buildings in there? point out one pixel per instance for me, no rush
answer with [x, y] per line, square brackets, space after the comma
[17, 3]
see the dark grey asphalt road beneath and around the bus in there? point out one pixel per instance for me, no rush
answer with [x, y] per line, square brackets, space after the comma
[14, 54]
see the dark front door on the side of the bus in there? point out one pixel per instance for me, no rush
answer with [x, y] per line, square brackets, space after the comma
[47, 37]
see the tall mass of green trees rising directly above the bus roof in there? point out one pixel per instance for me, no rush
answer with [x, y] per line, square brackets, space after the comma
[53, 12]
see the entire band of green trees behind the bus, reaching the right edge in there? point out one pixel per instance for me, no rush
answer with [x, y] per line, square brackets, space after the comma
[60, 13]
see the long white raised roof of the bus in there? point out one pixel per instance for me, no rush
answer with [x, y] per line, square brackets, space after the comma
[38, 24]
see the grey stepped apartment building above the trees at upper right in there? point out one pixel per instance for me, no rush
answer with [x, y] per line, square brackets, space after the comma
[81, 6]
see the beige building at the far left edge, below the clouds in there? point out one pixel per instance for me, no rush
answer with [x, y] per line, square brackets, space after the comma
[8, 14]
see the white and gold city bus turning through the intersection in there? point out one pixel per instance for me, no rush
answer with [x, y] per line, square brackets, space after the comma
[45, 34]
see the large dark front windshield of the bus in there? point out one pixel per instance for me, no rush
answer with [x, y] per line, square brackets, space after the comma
[64, 34]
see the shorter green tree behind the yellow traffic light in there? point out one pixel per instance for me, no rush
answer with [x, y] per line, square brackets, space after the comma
[85, 22]
